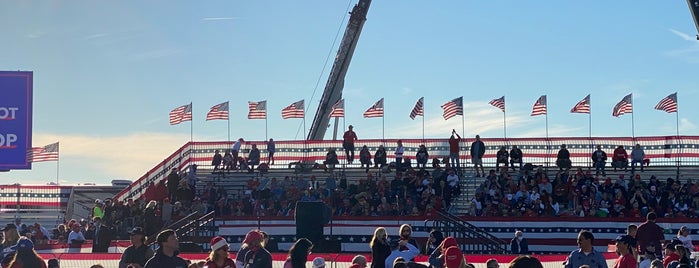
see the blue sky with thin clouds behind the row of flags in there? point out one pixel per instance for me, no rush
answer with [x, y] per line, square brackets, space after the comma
[106, 73]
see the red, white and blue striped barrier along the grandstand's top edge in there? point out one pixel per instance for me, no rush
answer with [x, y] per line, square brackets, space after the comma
[660, 150]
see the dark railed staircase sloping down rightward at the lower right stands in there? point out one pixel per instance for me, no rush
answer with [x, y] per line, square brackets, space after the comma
[471, 239]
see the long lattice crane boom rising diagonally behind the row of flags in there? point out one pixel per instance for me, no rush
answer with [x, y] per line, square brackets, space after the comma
[336, 80]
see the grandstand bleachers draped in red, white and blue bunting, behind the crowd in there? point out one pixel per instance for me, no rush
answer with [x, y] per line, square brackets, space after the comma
[669, 156]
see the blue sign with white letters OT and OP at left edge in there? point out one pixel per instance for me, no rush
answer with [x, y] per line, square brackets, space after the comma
[15, 119]
